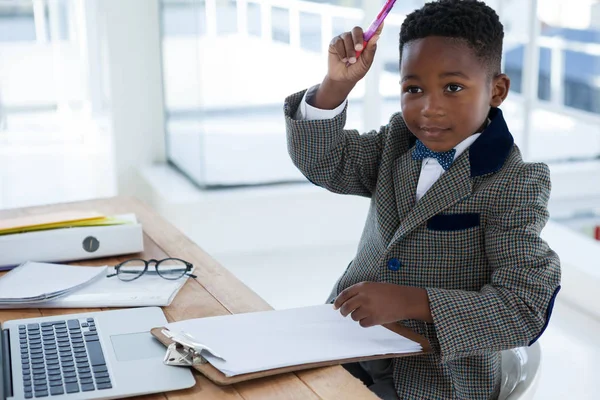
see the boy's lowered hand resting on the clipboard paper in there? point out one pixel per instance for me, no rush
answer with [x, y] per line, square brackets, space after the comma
[376, 303]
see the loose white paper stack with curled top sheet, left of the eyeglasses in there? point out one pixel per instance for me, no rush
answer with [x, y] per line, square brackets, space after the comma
[31, 283]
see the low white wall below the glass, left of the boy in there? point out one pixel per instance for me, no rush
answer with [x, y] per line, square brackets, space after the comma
[257, 219]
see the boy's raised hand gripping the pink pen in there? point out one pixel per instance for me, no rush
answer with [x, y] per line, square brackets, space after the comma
[343, 65]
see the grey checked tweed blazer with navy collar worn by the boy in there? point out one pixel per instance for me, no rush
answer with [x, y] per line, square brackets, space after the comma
[472, 241]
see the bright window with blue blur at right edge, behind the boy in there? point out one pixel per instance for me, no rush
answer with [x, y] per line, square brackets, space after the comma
[566, 114]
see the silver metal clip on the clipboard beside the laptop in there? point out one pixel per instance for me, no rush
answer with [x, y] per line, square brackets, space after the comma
[185, 350]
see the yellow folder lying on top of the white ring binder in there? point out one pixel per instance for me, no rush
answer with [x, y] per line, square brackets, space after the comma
[56, 220]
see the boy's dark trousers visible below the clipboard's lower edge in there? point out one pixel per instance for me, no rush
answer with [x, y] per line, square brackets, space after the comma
[377, 376]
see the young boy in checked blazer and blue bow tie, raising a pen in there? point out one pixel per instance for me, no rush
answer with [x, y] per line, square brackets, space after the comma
[451, 246]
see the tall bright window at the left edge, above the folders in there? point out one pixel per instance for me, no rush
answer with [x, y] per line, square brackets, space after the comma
[51, 91]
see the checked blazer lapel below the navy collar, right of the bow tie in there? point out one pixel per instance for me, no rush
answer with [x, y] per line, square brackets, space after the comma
[454, 185]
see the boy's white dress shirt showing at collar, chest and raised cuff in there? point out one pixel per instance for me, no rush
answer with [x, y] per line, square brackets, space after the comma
[431, 170]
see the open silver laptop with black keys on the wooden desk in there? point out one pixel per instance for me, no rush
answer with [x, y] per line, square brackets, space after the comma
[96, 355]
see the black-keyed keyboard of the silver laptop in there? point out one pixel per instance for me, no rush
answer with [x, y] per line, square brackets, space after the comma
[62, 357]
